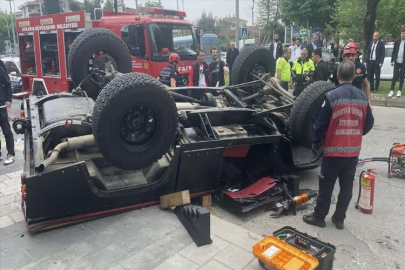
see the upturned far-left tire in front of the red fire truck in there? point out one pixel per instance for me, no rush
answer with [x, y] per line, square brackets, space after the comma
[92, 49]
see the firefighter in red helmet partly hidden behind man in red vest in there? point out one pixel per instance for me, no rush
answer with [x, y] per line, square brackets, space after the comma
[351, 52]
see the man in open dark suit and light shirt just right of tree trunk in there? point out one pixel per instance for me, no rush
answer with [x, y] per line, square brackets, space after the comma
[375, 60]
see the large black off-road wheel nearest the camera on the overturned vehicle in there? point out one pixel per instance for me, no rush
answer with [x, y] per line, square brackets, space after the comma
[134, 121]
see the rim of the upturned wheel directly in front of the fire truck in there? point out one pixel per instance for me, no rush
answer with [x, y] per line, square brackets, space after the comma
[99, 61]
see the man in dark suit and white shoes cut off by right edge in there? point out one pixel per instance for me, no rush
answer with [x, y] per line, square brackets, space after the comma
[398, 61]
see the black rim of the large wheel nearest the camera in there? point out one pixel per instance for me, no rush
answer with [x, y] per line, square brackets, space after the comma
[139, 128]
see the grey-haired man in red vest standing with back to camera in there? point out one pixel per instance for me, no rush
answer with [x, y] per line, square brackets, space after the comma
[344, 118]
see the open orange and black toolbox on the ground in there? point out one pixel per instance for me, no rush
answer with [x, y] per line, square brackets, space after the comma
[290, 249]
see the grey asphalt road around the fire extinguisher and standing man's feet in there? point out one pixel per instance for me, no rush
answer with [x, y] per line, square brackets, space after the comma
[369, 241]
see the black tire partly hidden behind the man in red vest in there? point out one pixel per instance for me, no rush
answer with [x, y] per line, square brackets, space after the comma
[305, 111]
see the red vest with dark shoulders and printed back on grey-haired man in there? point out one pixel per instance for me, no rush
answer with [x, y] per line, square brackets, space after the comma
[345, 132]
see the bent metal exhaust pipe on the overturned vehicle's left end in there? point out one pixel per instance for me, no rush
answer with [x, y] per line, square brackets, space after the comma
[71, 144]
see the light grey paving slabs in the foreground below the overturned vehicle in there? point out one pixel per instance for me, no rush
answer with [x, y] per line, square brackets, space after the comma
[148, 238]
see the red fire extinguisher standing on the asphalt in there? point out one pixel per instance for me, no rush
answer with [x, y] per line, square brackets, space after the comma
[365, 199]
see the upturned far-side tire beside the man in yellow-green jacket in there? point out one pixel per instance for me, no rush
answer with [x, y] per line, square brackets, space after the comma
[254, 59]
